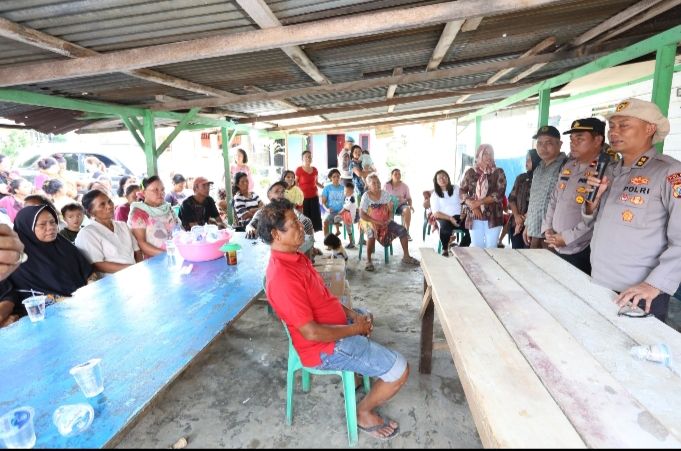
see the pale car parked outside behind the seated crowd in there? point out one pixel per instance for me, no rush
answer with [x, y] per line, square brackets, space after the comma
[116, 167]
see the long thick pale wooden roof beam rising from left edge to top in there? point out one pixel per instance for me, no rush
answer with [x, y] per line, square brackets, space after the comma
[259, 40]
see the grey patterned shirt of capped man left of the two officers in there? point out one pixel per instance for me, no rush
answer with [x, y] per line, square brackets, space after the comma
[543, 182]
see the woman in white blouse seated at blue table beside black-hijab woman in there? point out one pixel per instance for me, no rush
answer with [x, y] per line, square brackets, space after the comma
[108, 244]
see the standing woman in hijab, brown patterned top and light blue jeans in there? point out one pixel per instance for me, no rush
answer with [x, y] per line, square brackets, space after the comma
[482, 192]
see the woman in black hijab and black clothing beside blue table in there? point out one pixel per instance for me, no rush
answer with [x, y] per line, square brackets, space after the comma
[54, 266]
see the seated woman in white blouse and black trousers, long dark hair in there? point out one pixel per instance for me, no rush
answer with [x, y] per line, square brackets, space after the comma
[446, 207]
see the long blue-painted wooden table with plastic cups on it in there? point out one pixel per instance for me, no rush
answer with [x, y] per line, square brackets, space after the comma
[146, 323]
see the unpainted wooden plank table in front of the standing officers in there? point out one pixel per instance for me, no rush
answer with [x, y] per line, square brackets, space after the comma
[543, 356]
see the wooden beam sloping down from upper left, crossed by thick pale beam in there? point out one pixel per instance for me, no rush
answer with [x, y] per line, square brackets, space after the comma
[35, 38]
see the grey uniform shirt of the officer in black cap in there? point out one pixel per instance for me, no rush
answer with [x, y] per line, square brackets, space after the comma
[564, 213]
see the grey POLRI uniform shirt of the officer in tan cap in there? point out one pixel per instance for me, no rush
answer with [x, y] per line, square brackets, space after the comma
[637, 233]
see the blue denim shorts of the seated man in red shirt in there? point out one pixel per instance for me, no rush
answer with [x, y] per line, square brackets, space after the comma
[366, 357]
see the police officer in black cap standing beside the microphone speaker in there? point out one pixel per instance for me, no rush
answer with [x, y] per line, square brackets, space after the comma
[563, 227]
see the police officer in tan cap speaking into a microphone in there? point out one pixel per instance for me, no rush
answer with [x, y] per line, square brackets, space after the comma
[636, 244]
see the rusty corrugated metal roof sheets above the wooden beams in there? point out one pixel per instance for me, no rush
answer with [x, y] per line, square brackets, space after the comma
[108, 25]
